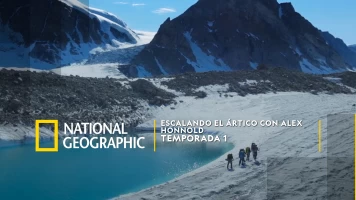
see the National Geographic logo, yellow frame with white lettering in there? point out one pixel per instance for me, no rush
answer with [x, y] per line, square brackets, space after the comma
[89, 135]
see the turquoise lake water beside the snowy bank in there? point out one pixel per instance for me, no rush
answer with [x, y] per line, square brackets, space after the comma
[97, 174]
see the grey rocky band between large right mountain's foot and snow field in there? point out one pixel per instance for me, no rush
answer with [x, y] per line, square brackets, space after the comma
[258, 82]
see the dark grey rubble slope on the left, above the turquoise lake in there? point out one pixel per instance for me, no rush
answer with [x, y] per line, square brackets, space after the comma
[26, 96]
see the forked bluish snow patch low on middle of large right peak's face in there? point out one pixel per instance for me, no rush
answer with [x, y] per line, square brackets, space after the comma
[204, 62]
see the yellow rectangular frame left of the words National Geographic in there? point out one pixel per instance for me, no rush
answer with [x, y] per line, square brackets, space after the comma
[55, 137]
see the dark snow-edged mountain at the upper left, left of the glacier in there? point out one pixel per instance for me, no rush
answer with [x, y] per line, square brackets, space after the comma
[52, 33]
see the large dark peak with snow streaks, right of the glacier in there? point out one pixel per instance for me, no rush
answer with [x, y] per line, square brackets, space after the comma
[233, 35]
